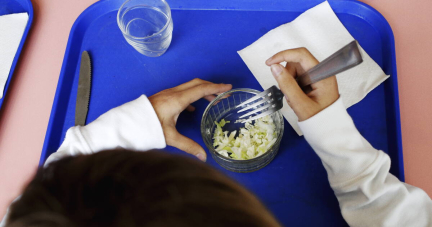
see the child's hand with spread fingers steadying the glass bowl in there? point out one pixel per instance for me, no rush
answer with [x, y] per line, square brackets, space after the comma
[169, 103]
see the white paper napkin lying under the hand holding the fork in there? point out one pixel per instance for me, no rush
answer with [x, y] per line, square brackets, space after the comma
[321, 32]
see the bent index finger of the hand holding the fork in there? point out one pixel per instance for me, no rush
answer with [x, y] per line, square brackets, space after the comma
[299, 55]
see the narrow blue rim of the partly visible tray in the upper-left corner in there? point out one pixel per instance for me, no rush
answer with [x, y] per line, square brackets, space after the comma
[30, 13]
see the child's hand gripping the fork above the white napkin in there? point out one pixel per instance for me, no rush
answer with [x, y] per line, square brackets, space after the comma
[325, 92]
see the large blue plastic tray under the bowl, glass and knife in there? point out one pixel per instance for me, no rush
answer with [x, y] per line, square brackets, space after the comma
[206, 36]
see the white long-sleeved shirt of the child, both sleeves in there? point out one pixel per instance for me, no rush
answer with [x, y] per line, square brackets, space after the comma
[368, 194]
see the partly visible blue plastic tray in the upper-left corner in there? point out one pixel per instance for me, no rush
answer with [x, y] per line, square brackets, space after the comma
[9, 7]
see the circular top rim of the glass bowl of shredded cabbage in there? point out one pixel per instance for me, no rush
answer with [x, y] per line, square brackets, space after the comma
[213, 151]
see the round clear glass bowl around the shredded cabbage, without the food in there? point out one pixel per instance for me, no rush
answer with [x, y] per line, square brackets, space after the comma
[223, 107]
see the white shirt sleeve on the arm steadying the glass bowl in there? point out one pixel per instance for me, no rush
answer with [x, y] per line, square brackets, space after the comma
[133, 125]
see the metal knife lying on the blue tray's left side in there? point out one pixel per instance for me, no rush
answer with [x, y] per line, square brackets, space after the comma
[83, 94]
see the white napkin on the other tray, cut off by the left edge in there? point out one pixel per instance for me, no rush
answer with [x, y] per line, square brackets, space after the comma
[11, 30]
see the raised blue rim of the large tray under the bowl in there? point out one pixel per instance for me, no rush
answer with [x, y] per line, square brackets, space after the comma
[393, 67]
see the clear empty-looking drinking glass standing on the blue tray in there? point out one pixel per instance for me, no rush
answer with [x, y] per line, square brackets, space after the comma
[146, 25]
